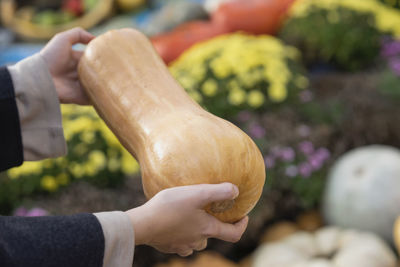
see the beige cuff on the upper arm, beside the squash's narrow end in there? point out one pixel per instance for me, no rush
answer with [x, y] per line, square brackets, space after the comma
[38, 108]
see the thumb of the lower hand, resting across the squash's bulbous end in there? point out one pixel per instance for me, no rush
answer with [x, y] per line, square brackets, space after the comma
[208, 193]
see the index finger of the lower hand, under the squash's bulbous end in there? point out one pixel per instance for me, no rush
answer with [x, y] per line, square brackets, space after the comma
[227, 232]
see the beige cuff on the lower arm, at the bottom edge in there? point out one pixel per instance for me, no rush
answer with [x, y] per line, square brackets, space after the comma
[119, 238]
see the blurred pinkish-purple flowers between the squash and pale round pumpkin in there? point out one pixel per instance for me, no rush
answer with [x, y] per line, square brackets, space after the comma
[300, 168]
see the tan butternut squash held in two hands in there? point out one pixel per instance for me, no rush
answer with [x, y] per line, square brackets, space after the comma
[175, 140]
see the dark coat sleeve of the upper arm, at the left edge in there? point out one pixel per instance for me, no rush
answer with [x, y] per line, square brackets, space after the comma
[11, 153]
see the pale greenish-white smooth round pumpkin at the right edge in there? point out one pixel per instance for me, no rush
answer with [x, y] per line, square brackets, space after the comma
[363, 190]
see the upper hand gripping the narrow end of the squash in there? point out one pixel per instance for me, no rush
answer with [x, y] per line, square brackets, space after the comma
[62, 62]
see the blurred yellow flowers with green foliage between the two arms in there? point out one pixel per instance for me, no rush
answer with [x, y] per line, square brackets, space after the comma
[94, 155]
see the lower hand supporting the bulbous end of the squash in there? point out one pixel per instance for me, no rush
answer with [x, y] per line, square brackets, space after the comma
[174, 220]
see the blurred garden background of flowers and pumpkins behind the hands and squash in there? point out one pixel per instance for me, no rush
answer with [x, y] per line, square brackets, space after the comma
[316, 84]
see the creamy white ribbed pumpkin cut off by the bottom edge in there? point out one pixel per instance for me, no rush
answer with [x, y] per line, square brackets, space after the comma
[327, 247]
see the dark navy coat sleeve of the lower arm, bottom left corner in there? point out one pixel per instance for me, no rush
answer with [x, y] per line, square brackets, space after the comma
[73, 241]
